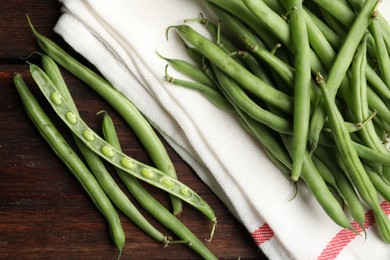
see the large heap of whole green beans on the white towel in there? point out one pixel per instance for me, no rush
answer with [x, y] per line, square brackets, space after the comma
[310, 81]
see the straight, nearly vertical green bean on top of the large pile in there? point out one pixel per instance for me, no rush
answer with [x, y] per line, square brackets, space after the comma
[302, 84]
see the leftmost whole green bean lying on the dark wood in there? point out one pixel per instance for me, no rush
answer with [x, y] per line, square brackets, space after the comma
[70, 158]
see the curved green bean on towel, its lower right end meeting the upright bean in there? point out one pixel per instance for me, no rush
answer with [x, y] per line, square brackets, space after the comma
[241, 99]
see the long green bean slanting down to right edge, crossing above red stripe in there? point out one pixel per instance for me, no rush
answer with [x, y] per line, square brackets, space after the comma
[352, 164]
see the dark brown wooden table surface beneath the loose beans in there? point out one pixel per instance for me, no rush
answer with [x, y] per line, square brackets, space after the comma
[44, 212]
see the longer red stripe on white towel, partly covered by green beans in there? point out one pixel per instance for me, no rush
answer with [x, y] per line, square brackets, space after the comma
[345, 236]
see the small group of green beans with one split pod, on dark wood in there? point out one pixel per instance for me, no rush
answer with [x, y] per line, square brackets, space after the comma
[90, 170]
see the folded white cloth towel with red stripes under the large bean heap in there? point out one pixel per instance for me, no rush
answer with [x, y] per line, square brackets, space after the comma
[121, 38]
